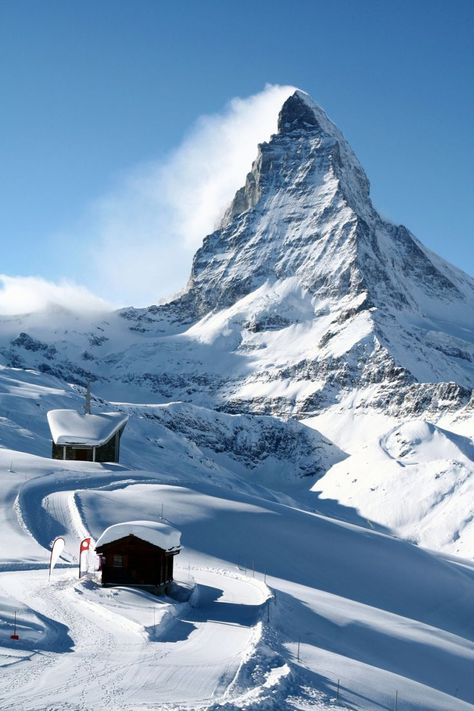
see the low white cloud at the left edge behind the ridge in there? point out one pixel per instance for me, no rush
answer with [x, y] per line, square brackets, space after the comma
[21, 295]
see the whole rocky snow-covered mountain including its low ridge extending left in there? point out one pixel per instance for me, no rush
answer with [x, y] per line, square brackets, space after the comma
[303, 298]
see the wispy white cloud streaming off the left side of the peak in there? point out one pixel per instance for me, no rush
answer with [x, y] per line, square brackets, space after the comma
[143, 234]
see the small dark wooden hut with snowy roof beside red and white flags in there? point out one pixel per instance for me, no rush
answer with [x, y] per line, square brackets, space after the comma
[138, 553]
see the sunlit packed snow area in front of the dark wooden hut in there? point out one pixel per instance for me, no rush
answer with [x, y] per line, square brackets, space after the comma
[114, 664]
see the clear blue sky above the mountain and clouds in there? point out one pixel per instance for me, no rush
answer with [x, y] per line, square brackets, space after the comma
[94, 92]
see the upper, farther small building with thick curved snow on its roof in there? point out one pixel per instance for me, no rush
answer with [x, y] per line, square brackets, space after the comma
[86, 437]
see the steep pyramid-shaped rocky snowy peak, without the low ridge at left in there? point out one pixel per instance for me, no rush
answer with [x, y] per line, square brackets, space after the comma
[321, 294]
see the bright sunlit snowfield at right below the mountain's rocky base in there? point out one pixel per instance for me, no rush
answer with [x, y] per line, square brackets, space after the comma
[415, 478]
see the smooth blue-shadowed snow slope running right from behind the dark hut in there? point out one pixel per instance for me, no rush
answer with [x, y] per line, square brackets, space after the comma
[369, 603]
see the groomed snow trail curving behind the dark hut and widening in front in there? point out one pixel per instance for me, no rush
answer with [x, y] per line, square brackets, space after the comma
[119, 661]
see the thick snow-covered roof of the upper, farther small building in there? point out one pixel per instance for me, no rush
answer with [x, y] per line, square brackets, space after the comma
[72, 427]
